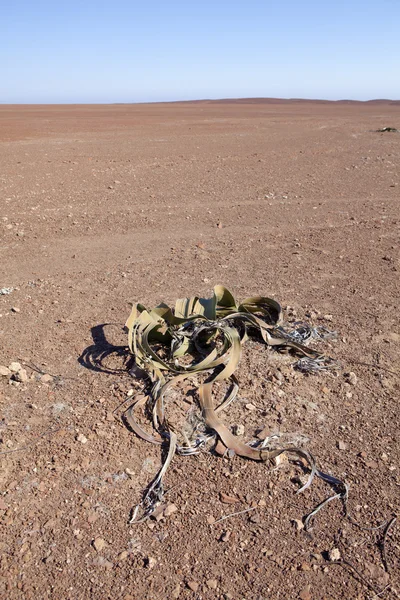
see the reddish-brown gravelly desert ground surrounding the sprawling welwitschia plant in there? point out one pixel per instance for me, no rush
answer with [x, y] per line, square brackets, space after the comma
[102, 206]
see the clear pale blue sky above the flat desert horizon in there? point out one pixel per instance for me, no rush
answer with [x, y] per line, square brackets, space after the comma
[128, 51]
